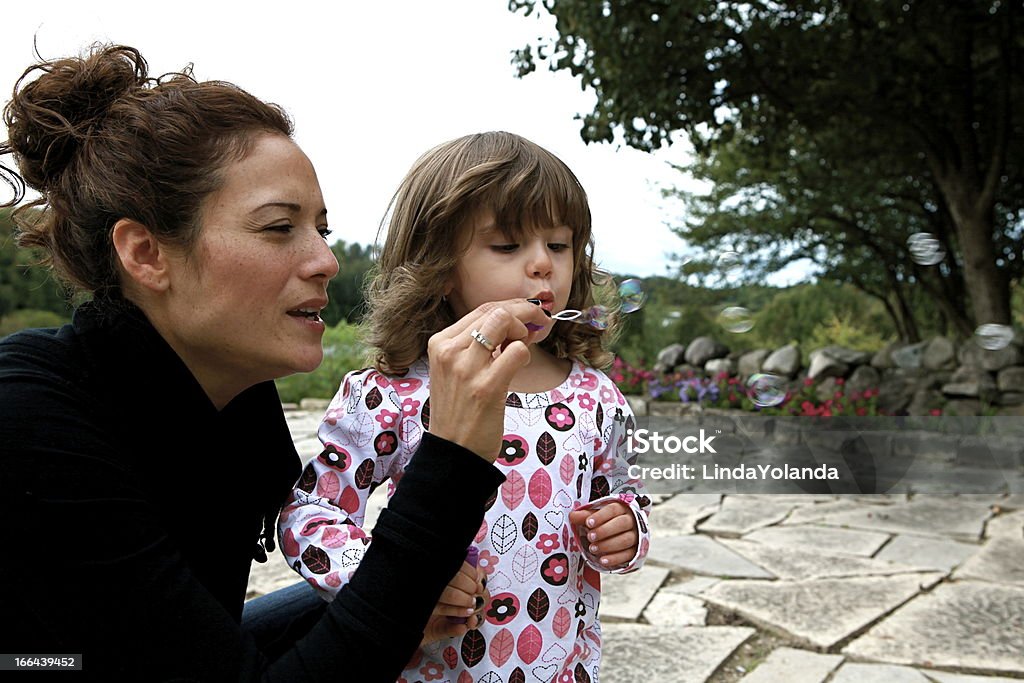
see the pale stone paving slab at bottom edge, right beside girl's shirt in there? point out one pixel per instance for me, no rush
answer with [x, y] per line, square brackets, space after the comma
[638, 654]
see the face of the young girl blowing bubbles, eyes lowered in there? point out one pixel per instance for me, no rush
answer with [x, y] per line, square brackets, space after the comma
[495, 268]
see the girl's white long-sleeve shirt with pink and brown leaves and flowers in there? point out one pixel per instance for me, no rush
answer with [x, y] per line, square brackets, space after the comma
[563, 450]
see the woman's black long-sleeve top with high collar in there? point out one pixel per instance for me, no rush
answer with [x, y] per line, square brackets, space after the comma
[110, 451]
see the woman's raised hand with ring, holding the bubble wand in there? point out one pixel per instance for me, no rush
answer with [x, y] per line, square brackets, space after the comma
[470, 382]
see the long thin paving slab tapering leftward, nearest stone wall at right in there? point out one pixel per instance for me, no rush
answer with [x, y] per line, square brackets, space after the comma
[940, 516]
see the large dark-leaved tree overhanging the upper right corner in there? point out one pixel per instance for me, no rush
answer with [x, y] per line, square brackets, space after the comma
[933, 89]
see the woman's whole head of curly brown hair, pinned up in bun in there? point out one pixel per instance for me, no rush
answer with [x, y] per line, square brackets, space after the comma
[102, 141]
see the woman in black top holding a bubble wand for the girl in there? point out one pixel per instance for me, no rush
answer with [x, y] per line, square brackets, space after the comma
[199, 229]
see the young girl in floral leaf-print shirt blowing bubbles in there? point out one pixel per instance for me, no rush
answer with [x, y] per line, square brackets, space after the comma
[484, 219]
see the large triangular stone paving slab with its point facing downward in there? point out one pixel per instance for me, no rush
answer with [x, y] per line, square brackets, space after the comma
[822, 613]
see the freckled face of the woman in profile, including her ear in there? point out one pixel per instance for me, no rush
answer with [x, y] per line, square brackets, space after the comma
[244, 306]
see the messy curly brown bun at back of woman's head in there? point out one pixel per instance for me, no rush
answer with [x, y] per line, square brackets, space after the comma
[50, 118]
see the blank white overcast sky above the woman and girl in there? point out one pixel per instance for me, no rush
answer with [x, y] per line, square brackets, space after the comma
[371, 87]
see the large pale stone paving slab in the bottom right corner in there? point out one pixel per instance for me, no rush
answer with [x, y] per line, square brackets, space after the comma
[967, 626]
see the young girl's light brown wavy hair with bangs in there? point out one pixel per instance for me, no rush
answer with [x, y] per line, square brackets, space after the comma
[527, 188]
